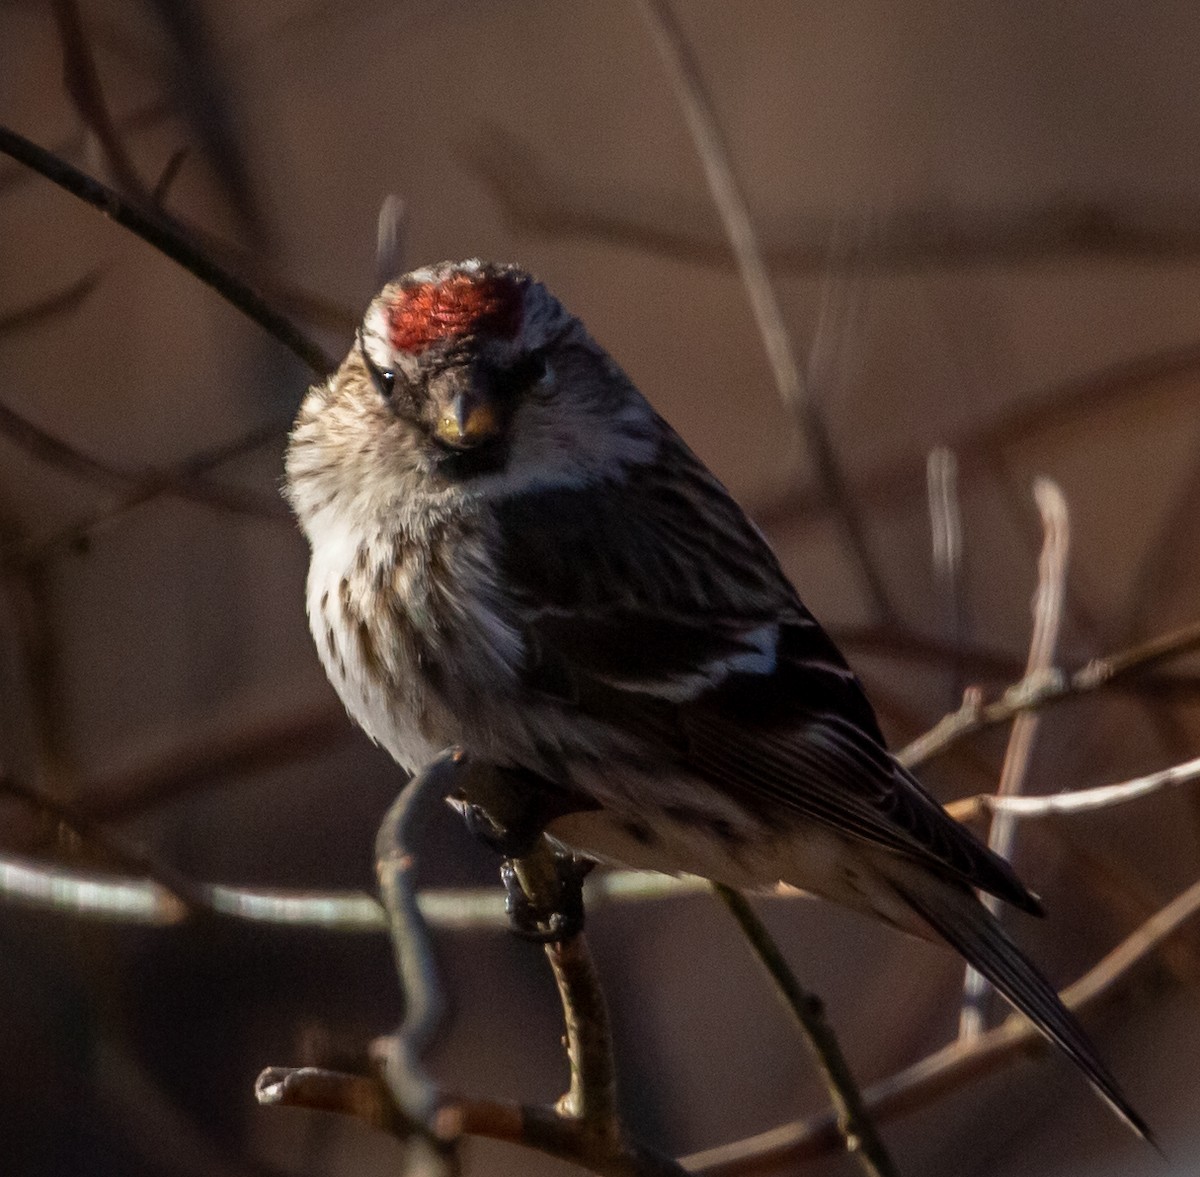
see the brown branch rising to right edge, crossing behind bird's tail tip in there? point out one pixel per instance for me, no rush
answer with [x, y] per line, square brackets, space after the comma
[947, 1070]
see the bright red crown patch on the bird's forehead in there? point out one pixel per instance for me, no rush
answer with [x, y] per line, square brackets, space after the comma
[455, 308]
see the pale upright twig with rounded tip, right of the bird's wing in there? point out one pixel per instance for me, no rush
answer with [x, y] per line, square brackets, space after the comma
[1048, 608]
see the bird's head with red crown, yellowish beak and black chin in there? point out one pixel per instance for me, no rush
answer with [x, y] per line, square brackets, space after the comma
[471, 379]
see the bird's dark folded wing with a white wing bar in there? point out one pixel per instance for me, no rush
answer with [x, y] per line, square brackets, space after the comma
[653, 604]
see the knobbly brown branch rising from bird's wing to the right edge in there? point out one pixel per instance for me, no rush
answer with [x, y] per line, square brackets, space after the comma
[1053, 688]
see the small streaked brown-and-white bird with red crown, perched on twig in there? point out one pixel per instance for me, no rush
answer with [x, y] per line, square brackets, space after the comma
[514, 555]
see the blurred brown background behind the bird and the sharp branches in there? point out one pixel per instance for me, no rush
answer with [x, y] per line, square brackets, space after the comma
[983, 227]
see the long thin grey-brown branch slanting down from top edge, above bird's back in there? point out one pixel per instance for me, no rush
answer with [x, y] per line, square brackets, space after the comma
[735, 214]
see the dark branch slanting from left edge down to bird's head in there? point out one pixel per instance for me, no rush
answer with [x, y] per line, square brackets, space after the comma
[170, 238]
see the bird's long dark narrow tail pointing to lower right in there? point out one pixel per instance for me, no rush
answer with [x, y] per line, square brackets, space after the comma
[961, 920]
